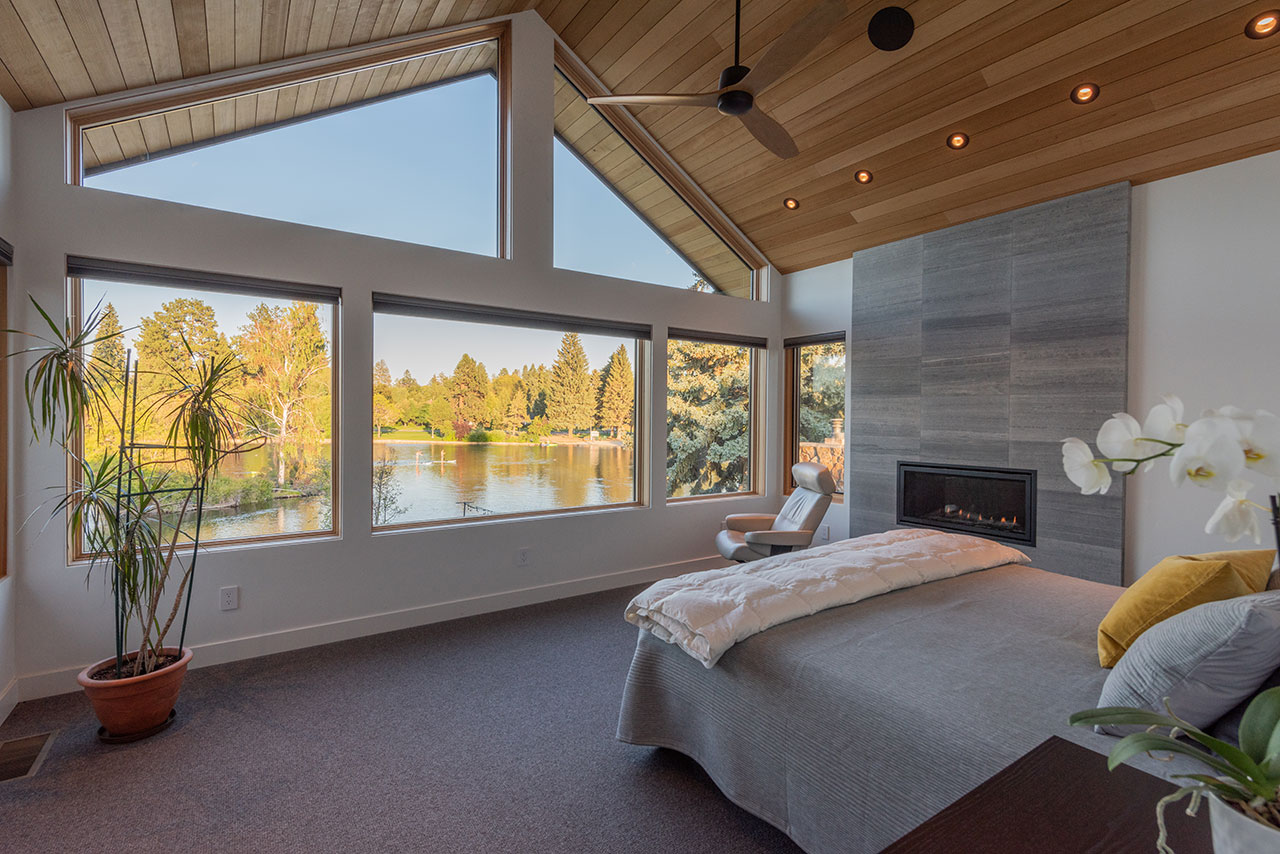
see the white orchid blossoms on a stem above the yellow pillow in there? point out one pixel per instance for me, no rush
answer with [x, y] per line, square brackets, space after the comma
[1218, 451]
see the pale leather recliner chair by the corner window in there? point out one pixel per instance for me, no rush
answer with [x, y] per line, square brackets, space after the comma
[749, 537]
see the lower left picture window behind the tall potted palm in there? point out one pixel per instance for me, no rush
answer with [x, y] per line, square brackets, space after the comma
[284, 348]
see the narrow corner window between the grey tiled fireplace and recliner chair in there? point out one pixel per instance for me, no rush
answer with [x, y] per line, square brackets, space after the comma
[816, 404]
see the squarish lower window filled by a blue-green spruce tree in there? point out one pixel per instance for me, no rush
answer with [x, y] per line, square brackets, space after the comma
[711, 432]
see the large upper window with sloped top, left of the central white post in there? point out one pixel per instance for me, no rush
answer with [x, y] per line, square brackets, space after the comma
[406, 150]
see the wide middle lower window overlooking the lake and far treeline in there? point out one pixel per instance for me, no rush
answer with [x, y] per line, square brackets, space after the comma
[501, 414]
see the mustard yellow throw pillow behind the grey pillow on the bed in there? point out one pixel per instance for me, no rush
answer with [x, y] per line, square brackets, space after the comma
[1174, 586]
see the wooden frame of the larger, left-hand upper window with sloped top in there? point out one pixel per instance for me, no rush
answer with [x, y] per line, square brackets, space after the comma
[235, 84]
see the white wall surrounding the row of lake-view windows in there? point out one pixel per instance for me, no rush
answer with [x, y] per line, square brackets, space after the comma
[318, 591]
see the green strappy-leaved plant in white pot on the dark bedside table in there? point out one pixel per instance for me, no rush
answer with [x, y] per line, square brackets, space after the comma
[1245, 783]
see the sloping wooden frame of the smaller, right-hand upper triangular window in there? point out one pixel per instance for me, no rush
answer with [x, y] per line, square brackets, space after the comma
[588, 85]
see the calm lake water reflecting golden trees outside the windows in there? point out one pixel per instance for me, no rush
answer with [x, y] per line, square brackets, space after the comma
[444, 482]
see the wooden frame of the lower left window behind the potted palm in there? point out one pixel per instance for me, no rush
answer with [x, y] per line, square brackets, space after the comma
[223, 284]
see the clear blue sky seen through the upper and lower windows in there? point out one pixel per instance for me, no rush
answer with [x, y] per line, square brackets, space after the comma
[420, 168]
